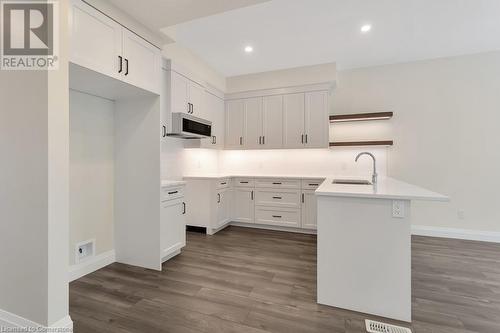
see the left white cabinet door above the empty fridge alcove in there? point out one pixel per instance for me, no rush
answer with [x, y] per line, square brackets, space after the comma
[96, 40]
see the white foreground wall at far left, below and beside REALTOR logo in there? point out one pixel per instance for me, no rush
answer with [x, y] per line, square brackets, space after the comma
[34, 190]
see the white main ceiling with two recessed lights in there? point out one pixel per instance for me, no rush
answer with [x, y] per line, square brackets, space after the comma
[292, 33]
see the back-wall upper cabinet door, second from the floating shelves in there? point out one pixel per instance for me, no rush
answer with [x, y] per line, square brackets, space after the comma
[293, 108]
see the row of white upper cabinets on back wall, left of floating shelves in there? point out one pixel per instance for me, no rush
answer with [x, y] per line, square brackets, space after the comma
[295, 120]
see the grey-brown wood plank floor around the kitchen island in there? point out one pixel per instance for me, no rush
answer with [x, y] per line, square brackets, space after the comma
[246, 280]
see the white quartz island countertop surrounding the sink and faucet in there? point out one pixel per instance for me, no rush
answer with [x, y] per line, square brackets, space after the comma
[387, 188]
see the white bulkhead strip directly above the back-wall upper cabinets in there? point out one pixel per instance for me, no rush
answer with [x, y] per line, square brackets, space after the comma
[282, 78]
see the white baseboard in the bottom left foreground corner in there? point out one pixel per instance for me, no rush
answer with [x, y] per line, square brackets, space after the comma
[12, 321]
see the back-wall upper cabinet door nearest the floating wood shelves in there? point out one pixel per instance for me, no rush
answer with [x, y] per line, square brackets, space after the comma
[316, 119]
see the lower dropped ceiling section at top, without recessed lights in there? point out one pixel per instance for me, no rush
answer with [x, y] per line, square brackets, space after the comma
[156, 14]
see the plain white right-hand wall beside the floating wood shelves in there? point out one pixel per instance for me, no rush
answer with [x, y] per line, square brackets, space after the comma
[446, 131]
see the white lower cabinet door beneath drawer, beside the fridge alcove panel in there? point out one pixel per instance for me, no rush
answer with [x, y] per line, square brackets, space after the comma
[172, 227]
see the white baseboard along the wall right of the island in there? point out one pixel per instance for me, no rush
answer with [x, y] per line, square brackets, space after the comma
[476, 235]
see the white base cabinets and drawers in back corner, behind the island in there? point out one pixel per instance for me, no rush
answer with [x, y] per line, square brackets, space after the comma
[272, 203]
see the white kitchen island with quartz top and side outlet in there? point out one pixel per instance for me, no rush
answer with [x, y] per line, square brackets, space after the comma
[364, 246]
